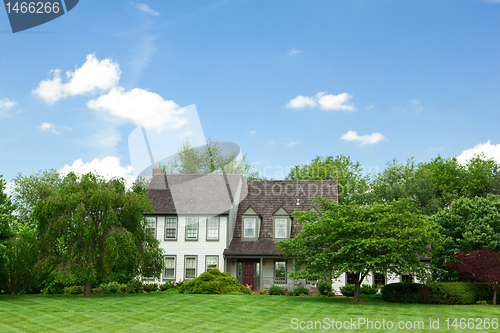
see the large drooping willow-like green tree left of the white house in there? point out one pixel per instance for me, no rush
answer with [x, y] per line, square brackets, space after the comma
[87, 226]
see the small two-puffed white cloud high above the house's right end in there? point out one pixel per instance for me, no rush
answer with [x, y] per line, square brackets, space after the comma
[325, 101]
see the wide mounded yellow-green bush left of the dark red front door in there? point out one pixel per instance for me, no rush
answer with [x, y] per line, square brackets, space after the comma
[213, 282]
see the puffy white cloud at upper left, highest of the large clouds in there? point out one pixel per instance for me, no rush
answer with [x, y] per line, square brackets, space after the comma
[94, 76]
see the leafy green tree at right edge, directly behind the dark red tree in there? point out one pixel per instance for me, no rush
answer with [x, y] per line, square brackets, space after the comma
[467, 224]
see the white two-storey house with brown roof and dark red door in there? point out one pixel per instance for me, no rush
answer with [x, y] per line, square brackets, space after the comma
[229, 223]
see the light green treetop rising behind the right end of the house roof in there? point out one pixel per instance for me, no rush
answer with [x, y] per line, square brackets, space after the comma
[354, 185]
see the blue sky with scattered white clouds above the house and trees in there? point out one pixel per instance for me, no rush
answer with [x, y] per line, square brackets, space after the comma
[284, 80]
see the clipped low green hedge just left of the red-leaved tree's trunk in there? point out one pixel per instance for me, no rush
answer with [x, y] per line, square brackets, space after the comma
[453, 293]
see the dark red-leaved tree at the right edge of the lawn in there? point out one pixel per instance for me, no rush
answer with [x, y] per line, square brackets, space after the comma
[480, 265]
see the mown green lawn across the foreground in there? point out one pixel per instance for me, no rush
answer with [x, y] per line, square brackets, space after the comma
[170, 312]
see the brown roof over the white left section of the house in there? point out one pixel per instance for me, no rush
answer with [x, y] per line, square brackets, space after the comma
[191, 194]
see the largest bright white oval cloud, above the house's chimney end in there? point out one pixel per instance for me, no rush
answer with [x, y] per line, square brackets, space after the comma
[141, 107]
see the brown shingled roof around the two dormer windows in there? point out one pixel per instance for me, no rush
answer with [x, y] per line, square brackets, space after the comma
[266, 197]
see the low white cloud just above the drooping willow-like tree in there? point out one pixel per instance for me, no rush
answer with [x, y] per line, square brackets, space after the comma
[108, 167]
